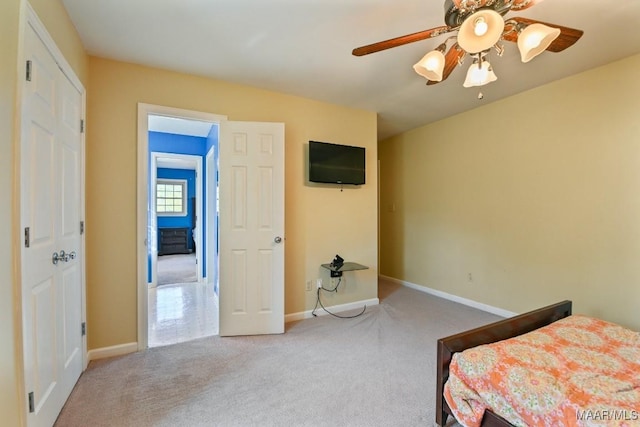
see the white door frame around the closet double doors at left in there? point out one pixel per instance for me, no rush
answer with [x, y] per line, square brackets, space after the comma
[29, 18]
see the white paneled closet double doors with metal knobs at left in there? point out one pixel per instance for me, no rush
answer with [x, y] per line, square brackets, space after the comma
[51, 174]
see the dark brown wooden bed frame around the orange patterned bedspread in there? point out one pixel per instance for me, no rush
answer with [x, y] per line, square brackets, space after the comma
[492, 332]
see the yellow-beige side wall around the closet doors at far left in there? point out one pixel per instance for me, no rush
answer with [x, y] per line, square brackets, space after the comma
[60, 28]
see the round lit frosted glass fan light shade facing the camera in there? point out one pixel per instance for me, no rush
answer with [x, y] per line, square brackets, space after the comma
[480, 31]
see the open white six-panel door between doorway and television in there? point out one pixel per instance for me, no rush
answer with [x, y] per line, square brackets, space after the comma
[251, 228]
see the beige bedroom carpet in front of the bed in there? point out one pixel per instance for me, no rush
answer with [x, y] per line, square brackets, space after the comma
[374, 370]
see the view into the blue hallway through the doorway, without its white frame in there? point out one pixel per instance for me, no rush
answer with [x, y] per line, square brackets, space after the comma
[182, 304]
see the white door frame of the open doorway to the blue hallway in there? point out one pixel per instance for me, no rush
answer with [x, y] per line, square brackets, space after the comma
[144, 110]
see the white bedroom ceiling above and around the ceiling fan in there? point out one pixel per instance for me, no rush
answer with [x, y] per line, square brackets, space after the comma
[303, 47]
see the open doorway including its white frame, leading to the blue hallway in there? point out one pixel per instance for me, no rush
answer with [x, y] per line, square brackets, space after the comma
[180, 300]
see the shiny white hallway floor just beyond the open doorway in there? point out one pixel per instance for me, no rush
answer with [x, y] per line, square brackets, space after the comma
[181, 312]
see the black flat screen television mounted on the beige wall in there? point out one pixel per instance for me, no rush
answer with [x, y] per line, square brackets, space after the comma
[336, 164]
